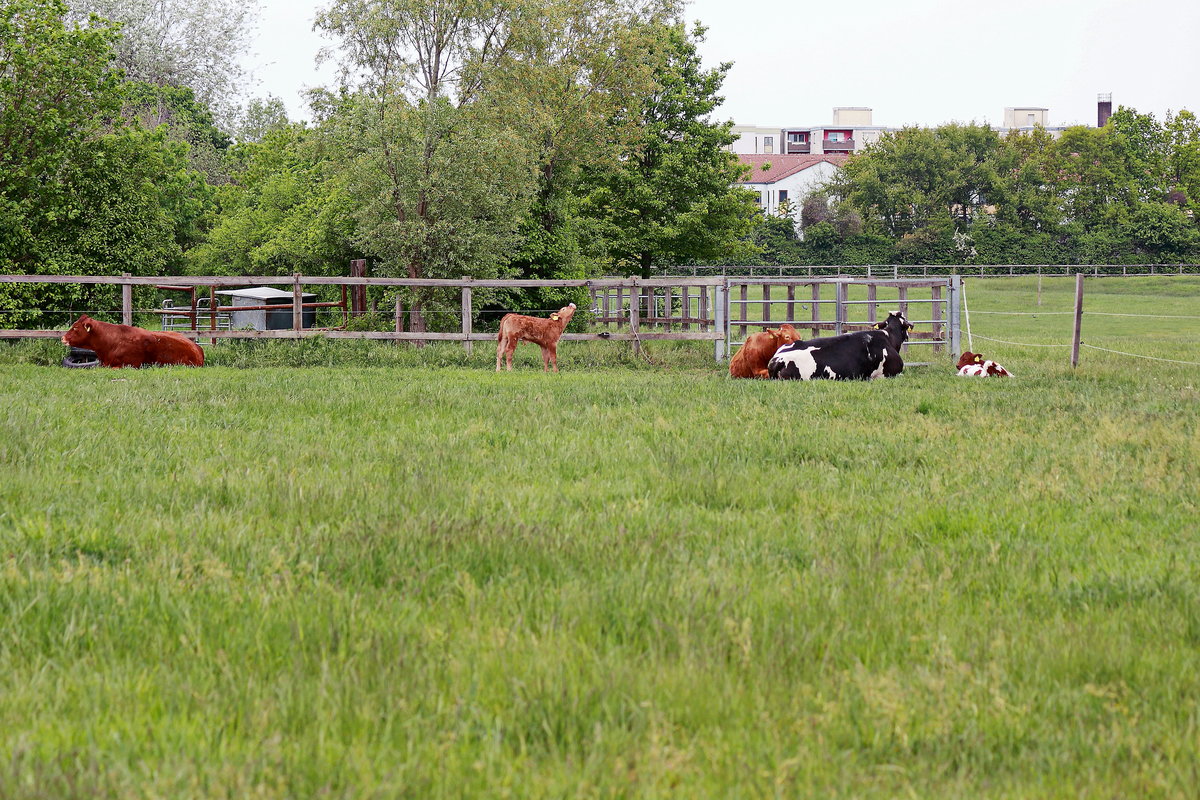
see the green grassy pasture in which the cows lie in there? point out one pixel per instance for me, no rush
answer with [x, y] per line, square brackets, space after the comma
[398, 574]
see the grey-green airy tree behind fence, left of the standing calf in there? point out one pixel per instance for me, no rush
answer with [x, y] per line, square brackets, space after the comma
[440, 183]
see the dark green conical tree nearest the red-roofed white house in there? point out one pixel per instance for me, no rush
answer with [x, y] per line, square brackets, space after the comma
[673, 197]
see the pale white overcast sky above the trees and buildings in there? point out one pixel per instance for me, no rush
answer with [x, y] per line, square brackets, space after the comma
[914, 62]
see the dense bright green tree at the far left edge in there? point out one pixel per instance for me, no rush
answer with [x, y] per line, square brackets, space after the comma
[81, 191]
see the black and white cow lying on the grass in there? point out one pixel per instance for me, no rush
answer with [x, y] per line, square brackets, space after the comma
[862, 356]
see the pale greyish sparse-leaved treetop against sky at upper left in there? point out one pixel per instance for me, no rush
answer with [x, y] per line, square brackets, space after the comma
[195, 44]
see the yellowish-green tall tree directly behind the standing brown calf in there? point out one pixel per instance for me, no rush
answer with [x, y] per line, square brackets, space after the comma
[572, 75]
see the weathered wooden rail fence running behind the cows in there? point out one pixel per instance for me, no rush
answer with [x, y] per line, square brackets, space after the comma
[628, 309]
